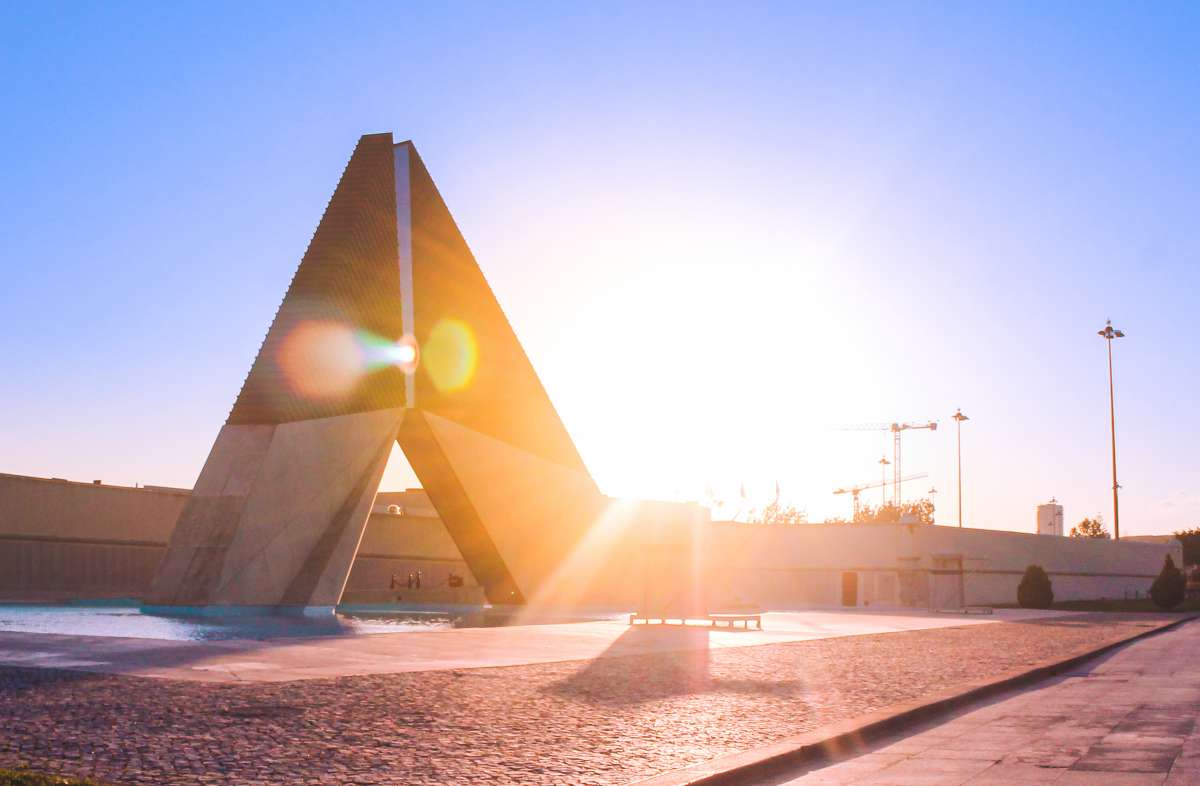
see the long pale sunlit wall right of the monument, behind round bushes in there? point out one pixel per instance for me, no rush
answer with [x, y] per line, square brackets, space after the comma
[895, 565]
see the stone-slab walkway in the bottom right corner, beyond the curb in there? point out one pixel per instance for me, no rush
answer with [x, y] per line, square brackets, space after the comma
[1124, 719]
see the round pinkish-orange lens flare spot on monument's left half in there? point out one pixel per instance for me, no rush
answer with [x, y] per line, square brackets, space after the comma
[322, 359]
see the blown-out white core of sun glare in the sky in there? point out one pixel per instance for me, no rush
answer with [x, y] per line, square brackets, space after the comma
[728, 381]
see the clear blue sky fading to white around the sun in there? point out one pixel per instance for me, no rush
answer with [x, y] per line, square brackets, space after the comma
[721, 230]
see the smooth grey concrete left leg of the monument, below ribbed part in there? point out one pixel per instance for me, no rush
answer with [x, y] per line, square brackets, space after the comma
[278, 514]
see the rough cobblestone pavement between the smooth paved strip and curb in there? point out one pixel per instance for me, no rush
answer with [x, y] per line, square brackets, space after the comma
[610, 721]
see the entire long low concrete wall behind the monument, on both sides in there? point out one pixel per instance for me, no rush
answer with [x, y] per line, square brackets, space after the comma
[63, 541]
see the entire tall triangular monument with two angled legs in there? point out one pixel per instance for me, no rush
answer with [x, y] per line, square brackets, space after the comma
[389, 332]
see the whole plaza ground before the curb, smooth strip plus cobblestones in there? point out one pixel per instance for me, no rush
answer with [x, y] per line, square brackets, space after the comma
[587, 704]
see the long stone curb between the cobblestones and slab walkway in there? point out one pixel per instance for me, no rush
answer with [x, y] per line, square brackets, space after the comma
[853, 736]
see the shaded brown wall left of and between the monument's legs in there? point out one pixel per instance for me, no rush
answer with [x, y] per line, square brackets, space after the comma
[64, 541]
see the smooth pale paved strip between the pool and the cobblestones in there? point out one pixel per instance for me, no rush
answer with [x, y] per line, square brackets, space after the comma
[287, 659]
